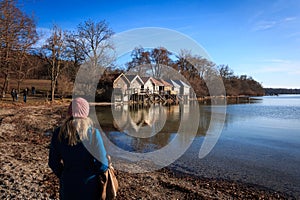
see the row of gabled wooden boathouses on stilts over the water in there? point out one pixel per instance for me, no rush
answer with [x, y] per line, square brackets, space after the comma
[143, 90]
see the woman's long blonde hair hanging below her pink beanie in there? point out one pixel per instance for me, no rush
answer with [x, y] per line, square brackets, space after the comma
[75, 130]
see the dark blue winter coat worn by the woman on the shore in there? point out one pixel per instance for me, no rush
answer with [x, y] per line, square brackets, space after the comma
[76, 168]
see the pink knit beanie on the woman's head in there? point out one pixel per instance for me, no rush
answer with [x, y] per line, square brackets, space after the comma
[79, 107]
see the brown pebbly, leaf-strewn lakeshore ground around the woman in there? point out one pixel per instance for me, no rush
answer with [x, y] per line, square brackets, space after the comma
[25, 133]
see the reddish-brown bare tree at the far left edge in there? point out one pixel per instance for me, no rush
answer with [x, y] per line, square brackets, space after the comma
[17, 35]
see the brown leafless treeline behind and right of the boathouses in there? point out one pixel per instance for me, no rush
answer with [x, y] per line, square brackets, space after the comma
[195, 69]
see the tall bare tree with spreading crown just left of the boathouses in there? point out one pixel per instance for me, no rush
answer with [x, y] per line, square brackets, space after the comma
[93, 39]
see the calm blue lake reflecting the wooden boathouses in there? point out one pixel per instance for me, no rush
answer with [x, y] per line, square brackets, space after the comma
[255, 141]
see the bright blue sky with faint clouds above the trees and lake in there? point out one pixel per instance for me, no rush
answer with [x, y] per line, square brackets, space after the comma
[259, 38]
